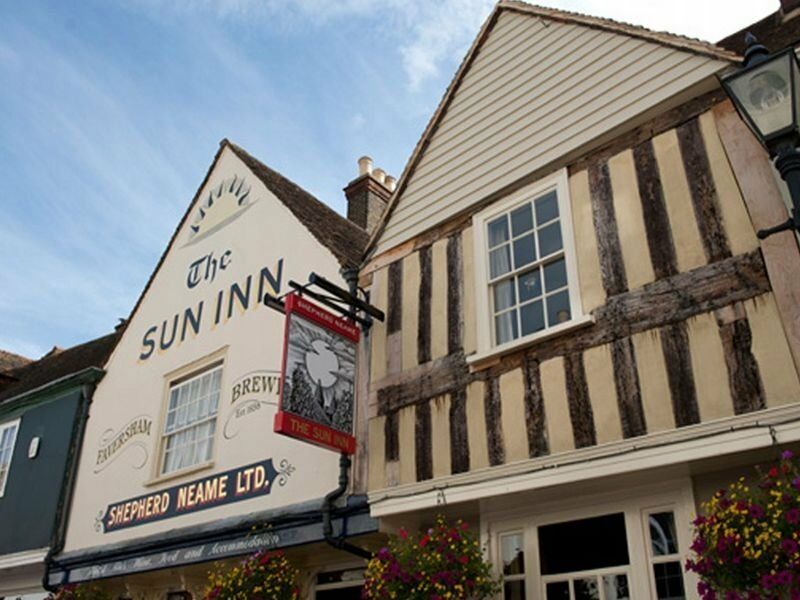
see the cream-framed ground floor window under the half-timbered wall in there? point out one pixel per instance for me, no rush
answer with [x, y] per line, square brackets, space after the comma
[632, 550]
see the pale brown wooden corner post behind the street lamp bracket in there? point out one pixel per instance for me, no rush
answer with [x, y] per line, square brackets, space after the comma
[754, 174]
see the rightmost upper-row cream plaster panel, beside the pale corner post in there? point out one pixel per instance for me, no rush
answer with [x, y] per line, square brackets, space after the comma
[738, 227]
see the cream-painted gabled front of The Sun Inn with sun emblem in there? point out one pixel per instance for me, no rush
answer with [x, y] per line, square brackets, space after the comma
[180, 465]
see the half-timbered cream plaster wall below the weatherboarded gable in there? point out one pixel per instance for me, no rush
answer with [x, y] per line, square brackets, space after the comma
[683, 335]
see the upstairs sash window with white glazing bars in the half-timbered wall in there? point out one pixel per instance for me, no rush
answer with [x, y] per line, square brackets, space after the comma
[526, 269]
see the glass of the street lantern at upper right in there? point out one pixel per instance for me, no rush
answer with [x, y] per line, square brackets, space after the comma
[765, 94]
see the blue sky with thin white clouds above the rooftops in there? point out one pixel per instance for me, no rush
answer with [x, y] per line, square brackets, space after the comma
[111, 111]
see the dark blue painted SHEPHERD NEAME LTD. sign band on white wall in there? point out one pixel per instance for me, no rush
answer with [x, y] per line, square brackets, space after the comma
[223, 488]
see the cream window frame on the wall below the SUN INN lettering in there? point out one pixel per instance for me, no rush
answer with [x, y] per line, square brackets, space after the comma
[181, 377]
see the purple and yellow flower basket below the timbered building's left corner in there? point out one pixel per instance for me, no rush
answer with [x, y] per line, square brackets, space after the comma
[444, 562]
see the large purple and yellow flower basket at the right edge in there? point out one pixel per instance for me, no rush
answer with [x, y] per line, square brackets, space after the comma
[747, 545]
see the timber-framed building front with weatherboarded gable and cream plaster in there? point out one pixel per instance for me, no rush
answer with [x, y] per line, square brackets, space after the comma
[584, 335]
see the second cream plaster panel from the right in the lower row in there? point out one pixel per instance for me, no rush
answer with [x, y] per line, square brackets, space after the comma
[709, 368]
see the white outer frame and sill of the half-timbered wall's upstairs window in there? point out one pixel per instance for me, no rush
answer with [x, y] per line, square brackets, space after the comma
[559, 183]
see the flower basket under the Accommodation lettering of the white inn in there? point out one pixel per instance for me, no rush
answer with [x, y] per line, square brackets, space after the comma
[261, 576]
